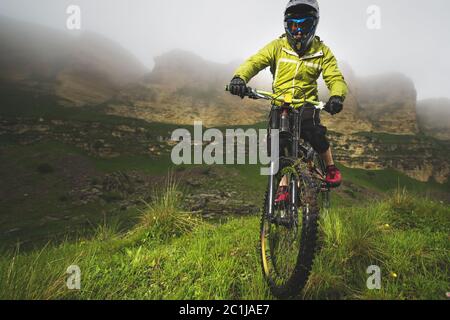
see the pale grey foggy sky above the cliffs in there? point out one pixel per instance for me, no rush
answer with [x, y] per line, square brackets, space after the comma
[413, 39]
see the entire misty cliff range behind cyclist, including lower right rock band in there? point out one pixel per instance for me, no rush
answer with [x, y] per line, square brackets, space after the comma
[378, 128]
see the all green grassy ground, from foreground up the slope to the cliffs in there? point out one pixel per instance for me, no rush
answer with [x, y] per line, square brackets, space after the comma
[125, 258]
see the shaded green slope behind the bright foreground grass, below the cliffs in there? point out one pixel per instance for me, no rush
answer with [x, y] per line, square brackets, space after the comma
[38, 204]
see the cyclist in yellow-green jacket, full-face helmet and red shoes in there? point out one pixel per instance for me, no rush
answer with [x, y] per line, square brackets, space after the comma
[296, 61]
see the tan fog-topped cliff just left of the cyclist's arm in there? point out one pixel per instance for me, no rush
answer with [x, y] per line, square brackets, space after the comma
[183, 88]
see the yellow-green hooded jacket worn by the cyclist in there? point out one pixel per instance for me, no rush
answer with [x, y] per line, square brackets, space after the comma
[290, 70]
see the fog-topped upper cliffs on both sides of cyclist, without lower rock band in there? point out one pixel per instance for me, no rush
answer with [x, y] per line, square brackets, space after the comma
[87, 69]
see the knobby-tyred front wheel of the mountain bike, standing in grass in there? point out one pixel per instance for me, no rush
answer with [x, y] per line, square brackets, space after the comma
[289, 236]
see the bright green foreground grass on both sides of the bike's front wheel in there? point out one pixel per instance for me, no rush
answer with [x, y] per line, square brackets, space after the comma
[172, 254]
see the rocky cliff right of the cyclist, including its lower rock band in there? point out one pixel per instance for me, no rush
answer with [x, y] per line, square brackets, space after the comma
[382, 127]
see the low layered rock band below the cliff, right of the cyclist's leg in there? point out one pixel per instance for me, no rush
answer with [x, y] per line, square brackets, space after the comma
[419, 157]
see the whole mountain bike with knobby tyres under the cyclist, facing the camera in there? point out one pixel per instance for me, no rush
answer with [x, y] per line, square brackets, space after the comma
[289, 229]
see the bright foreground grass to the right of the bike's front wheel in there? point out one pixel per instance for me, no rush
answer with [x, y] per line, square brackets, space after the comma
[412, 258]
